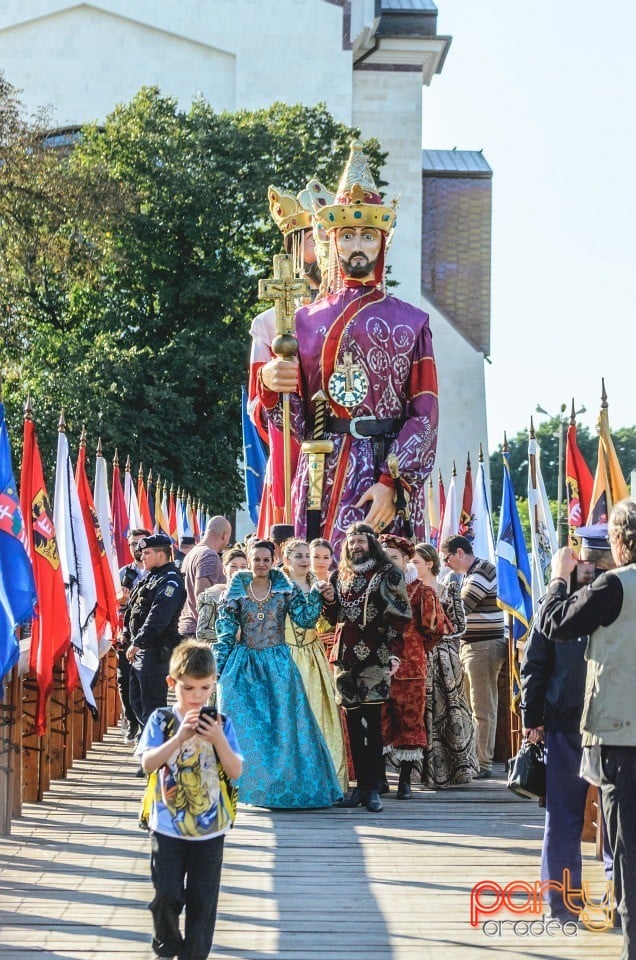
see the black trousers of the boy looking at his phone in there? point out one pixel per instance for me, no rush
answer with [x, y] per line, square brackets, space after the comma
[185, 873]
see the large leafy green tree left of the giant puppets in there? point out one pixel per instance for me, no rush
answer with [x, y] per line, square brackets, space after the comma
[145, 333]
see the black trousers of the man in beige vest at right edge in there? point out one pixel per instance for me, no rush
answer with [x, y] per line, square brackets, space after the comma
[618, 790]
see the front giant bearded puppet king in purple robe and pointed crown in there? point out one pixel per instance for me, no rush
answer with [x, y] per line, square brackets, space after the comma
[372, 355]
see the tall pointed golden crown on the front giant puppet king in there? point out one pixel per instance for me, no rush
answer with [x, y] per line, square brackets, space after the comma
[357, 202]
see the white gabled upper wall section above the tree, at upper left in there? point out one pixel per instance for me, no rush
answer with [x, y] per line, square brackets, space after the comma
[83, 58]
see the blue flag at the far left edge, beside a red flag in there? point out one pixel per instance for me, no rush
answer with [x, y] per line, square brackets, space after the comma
[17, 586]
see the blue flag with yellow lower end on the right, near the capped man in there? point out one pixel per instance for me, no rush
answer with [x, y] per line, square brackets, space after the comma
[514, 591]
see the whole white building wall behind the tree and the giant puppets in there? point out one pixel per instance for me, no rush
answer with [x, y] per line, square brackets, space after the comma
[83, 58]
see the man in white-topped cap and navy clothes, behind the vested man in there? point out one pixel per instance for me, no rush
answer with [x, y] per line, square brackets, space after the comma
[552, 697]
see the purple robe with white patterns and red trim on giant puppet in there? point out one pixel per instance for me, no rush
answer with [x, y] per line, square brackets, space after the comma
[391, 341]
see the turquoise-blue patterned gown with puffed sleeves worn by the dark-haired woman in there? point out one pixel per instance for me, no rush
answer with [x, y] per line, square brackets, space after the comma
[287, 762]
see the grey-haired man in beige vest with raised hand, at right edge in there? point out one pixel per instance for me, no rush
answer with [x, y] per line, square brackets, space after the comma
[606, 610]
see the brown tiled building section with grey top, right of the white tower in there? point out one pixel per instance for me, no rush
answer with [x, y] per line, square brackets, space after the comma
[456, 239]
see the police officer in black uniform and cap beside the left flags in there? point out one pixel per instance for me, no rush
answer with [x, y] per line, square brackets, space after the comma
[151, 624]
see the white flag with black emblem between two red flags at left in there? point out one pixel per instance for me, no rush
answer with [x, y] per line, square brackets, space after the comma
[77, 569]
